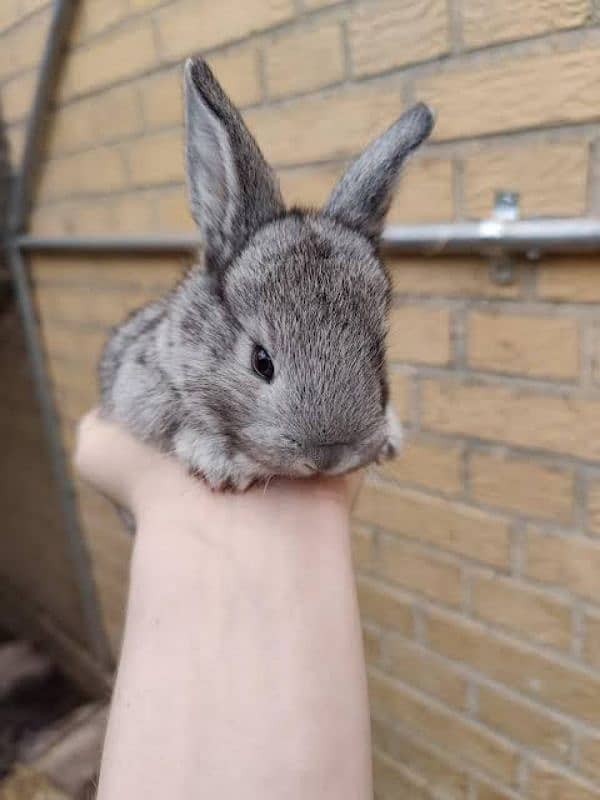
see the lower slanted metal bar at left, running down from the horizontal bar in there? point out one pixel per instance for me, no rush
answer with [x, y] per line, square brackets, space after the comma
[76, 549]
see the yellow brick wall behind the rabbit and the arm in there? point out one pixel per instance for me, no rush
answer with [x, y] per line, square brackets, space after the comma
[478, 552]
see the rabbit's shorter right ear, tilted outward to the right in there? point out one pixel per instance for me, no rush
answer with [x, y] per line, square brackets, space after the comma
[363, 195]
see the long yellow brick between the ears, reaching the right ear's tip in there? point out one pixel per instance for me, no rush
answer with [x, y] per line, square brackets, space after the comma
[326, 126]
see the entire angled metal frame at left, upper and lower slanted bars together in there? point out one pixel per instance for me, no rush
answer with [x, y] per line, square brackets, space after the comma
[18, 218]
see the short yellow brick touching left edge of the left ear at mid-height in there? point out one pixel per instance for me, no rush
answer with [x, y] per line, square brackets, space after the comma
[156, 159]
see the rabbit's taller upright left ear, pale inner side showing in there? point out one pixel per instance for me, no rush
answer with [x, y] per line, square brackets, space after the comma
[232, 189]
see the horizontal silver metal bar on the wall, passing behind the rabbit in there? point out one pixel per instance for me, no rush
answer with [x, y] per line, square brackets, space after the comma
[490, 237]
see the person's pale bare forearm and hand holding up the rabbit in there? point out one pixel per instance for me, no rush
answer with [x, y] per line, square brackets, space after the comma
[242, 672]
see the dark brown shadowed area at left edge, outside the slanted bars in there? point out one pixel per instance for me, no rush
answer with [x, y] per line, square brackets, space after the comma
[38, 592]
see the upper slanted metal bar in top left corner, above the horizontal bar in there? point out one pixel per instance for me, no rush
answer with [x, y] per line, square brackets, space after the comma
[60, 26]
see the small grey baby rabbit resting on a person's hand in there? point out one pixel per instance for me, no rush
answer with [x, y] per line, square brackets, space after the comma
[270, 358]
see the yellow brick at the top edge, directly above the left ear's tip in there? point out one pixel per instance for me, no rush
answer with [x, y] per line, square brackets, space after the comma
[191, 26]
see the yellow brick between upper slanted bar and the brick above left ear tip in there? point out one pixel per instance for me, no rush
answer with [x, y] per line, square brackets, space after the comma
[119, 54]
